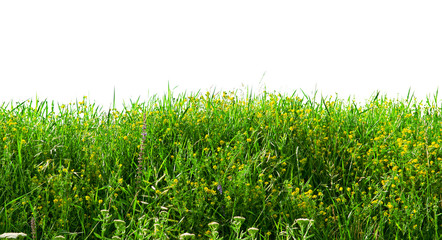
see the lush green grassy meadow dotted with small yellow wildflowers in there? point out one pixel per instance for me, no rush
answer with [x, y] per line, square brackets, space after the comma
[222, 166]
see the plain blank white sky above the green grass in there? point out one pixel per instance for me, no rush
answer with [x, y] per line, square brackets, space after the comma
[63, 50]
